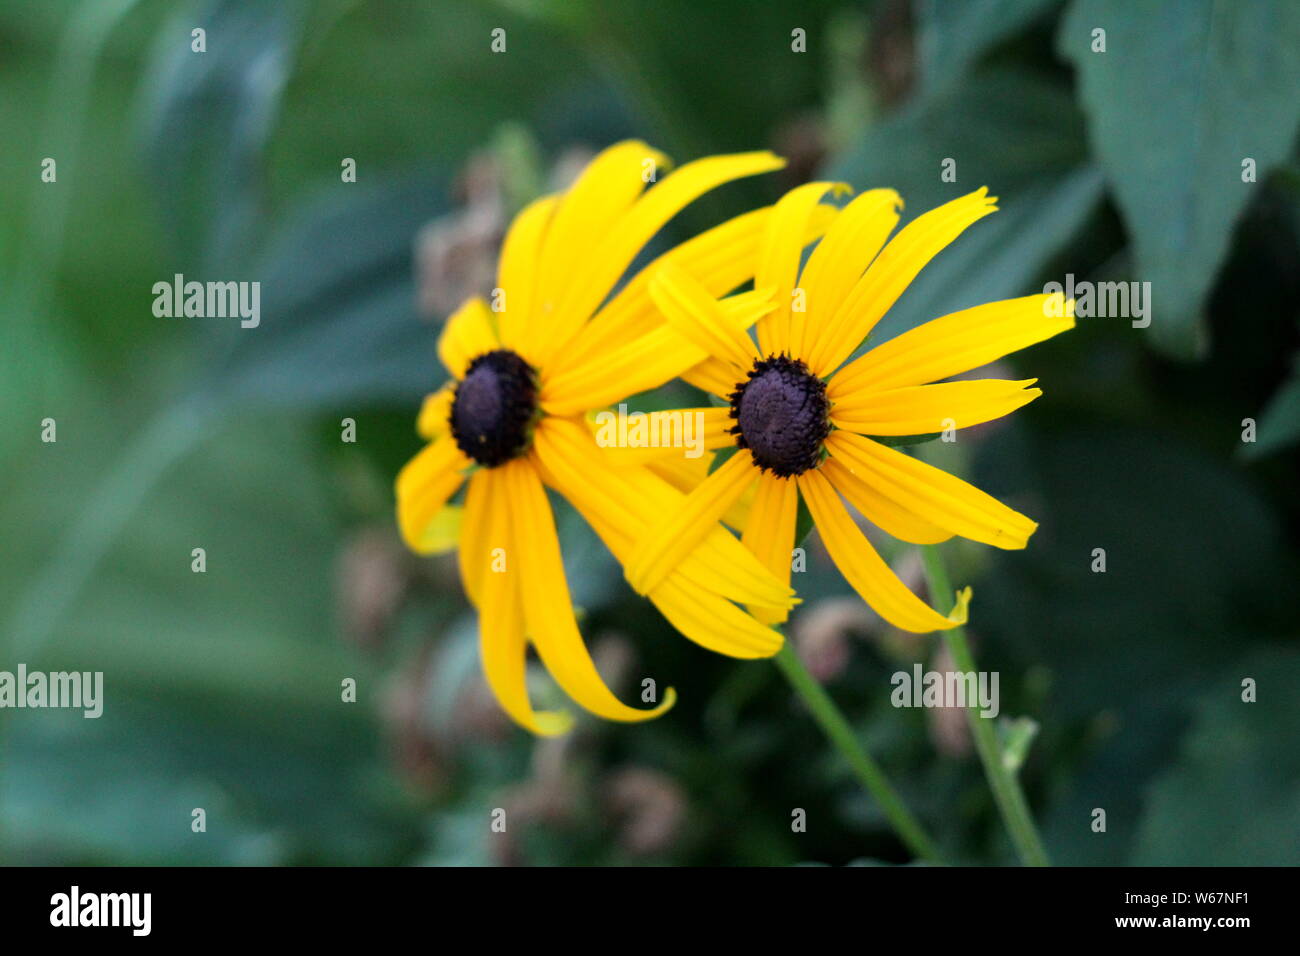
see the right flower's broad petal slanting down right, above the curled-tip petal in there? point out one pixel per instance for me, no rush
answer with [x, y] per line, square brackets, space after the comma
[934, 495]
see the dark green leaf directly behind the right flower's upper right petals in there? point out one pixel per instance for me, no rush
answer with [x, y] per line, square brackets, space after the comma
[1045, 192]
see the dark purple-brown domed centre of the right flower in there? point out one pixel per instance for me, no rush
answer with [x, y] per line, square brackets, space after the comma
[782, 416]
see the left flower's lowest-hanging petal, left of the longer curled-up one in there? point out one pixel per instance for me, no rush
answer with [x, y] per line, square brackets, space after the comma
[501, 637]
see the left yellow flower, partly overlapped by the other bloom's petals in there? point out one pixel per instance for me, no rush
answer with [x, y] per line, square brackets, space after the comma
[525, 374]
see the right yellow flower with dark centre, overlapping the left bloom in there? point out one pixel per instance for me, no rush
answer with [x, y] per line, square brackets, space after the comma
[804, 421]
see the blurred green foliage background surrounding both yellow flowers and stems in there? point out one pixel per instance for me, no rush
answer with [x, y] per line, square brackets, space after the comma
[1121, 690]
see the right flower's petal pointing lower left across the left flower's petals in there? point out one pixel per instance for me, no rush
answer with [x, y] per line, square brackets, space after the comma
[679, 534]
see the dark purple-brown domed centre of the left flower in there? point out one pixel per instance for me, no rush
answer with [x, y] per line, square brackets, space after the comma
[495, 408]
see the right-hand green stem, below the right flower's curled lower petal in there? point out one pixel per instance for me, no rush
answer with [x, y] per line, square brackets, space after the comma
[1002, 780]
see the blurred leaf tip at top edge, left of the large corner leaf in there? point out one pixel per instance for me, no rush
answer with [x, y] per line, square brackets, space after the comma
[951, 37]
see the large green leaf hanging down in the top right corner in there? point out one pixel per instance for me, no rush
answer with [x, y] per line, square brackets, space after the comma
[1185, 93]
